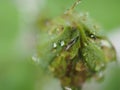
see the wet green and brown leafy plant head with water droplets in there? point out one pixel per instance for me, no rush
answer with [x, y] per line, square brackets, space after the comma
[73, 48]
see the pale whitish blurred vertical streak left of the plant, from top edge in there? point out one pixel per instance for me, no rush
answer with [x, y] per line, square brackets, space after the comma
[28, 13]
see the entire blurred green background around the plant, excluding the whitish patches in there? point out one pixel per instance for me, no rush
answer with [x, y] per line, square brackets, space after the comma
[19, 72]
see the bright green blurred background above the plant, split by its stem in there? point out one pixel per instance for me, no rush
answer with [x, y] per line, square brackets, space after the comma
[106, 12]
